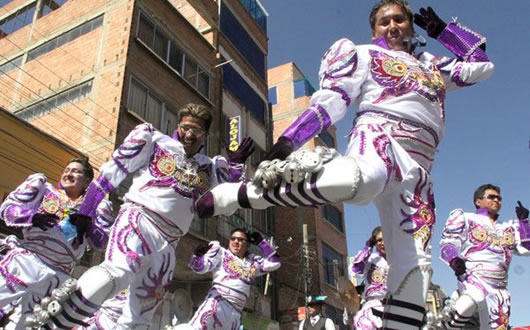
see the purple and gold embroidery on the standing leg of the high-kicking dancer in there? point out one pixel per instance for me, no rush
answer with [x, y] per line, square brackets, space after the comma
[419, 223]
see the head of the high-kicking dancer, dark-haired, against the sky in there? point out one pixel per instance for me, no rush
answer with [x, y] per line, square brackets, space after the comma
[392, 23]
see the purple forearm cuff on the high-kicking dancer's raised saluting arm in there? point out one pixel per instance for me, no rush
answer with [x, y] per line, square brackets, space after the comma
[463, 42]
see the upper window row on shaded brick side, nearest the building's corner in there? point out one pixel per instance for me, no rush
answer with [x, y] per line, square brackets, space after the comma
[196, 75]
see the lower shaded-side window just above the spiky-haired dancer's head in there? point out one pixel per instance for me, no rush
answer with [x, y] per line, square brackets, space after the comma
[149, 107]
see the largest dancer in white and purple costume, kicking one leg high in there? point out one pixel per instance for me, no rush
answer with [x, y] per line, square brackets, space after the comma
[400, 121]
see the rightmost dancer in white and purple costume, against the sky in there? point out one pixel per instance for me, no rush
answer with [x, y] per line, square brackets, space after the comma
[479, 249]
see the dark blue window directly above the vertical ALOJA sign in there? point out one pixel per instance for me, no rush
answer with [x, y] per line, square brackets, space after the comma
[239, 88]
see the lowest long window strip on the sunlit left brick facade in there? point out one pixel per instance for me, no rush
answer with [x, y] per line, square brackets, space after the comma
[57, 101]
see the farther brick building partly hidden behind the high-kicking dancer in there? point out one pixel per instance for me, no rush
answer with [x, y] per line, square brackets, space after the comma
[289, 94]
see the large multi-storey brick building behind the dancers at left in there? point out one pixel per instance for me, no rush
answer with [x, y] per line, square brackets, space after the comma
[87, 72]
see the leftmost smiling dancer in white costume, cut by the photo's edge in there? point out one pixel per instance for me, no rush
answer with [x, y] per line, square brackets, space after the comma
[32, 267]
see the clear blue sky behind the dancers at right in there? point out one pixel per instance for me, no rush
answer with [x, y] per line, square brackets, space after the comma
[487, 134]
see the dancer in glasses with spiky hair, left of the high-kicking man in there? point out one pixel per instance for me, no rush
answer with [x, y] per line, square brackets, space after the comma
[158, 209]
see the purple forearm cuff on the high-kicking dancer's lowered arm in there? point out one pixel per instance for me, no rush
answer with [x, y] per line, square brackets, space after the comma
[312, 122]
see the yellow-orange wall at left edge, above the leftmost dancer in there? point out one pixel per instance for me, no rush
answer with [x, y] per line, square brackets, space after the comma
[25, 150]
